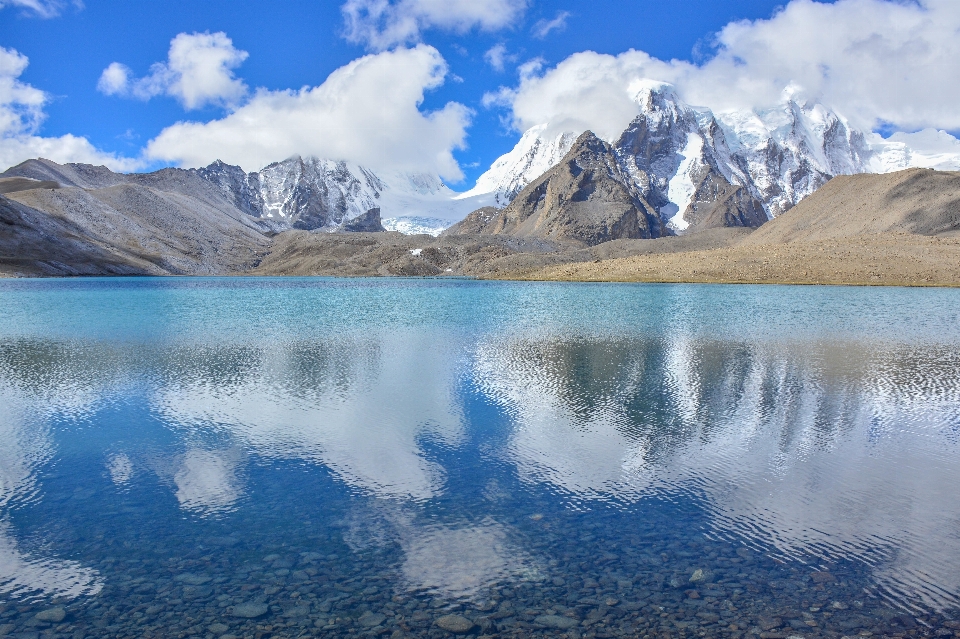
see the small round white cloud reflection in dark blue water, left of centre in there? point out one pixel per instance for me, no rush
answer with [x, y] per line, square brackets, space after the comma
[207, 481]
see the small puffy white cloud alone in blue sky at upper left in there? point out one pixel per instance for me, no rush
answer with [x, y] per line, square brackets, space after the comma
[198, 72]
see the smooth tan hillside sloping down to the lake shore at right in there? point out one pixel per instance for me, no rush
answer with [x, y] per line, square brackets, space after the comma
[897, 229]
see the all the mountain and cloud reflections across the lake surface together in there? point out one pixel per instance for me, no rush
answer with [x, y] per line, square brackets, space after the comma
[817, 449]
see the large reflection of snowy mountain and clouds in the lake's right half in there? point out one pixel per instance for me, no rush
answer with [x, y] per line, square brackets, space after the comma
[817, 449]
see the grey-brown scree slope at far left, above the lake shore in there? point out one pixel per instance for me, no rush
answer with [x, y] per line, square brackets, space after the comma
[167, 223]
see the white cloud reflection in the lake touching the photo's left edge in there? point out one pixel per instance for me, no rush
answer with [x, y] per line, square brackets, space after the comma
[26, 446]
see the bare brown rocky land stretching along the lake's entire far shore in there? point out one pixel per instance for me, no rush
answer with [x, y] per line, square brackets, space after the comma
[896, 229]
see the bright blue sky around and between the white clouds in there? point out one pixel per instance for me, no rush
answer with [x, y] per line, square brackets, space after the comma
[297, 43]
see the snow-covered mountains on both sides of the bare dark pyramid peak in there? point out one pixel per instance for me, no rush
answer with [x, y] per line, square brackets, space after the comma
[683, 159]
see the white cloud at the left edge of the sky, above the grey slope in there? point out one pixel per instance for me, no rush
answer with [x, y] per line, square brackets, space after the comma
[21, 114]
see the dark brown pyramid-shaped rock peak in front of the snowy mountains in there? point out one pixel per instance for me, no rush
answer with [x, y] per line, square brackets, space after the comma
[586, 199]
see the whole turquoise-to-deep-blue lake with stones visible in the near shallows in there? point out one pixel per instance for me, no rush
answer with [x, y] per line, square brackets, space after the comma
[321, 457]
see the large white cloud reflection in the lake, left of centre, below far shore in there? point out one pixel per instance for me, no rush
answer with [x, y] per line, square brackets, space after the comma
[362, 416]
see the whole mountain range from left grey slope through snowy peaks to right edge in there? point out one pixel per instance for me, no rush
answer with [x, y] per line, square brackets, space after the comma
[674, 170]
